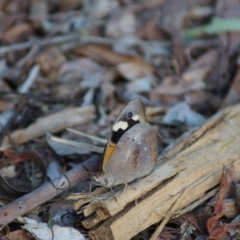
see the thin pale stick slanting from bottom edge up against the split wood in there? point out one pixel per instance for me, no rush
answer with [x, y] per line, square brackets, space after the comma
[168, 216]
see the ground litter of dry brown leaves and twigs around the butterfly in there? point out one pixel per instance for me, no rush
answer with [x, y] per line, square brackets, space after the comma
[75, 64]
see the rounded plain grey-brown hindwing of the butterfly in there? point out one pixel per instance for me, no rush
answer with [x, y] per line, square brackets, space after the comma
[134, 156]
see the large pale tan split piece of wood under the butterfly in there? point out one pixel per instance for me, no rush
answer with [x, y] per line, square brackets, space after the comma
[193, 164]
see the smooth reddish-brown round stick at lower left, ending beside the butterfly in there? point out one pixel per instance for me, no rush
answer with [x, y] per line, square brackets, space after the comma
[46, 192]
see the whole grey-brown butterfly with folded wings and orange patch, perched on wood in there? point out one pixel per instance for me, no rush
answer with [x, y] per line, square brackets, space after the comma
[132, 148]
